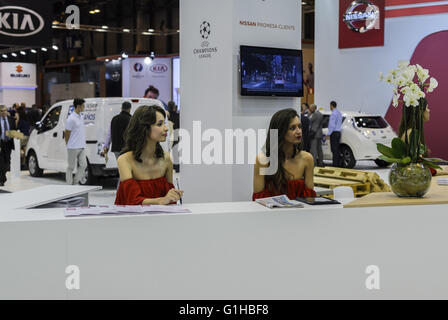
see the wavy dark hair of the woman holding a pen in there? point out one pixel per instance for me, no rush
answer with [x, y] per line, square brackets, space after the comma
[139, 128]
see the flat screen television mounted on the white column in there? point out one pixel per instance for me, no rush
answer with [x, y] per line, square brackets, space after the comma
[271, 72]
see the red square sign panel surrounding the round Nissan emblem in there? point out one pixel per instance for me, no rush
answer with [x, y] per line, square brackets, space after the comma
[352, 39]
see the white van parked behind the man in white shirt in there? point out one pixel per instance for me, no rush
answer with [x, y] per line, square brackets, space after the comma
[46, 148]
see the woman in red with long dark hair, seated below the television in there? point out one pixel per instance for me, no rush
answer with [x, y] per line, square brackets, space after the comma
[292, 168]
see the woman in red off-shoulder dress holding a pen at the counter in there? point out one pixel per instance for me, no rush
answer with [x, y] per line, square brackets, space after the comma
[146, 171]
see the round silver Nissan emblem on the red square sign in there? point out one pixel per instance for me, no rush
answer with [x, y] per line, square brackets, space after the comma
[362, 16]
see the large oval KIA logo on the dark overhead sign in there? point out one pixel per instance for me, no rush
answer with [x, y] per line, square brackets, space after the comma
[20, 21]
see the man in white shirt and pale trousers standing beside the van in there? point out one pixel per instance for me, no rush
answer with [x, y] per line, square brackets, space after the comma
[75, 138]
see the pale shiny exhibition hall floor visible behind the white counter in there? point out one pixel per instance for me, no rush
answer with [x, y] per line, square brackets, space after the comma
[106, 196]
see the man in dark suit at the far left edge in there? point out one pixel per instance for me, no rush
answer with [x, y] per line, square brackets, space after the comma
[6, 143]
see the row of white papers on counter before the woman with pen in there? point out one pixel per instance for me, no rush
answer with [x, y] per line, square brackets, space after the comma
[117, 209]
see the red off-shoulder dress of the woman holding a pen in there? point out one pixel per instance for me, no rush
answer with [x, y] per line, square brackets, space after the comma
[133, 192]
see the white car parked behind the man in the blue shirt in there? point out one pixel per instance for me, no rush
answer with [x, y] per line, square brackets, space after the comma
[359, 135]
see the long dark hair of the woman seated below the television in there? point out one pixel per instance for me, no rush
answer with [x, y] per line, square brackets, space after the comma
[278, 182]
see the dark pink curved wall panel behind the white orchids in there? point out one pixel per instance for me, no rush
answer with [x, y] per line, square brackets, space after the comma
[431, 54]
